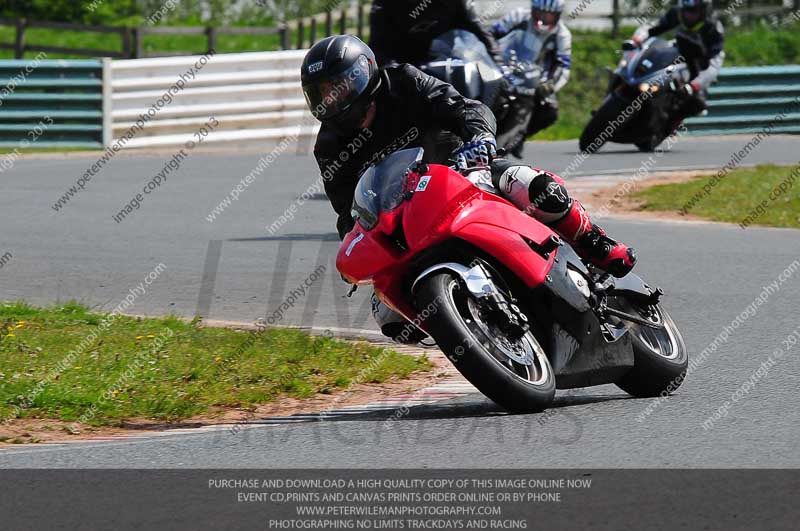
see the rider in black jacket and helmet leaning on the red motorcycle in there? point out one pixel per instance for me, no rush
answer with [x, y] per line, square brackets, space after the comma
[368, 113]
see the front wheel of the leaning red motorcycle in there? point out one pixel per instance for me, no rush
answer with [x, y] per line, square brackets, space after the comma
[514, 373]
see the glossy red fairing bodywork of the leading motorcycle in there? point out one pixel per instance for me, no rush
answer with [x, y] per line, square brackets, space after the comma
[443, 205]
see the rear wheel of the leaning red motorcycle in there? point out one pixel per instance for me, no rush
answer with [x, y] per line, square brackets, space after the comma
[660, 357]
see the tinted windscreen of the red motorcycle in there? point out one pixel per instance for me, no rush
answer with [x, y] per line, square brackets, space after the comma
[382, 187]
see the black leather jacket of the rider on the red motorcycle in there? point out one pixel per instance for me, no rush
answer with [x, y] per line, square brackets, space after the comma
[413, 110]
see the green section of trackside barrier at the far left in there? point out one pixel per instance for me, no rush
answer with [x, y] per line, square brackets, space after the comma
[54, 103]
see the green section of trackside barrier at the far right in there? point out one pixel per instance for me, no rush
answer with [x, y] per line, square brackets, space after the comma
[746, 99]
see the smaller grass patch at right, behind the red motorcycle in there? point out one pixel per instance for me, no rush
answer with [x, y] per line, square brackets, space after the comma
[743, 196]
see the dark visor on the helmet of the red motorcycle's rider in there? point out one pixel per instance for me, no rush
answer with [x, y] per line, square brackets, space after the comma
[334, 95]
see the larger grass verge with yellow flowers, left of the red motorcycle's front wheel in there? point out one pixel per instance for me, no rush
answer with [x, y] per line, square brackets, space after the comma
[165, 368]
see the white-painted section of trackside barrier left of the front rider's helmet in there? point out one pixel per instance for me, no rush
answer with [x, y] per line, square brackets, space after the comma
[254, 96]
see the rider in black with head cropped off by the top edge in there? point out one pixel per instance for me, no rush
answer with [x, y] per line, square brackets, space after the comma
[401, 31]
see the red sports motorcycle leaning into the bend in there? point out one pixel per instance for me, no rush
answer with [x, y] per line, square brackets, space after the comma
[511, 304]
